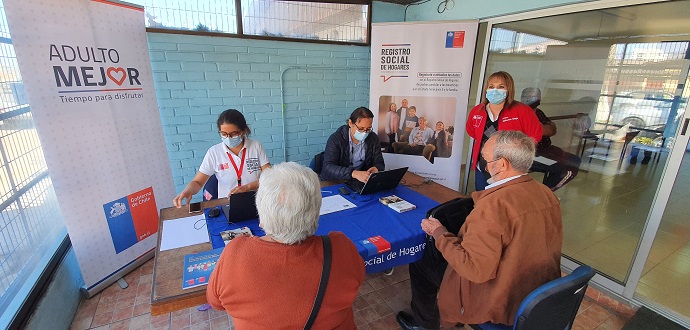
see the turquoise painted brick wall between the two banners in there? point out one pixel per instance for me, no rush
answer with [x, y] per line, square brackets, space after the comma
[197, 77]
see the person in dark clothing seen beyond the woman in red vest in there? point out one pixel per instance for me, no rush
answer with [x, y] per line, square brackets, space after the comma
[567, 165]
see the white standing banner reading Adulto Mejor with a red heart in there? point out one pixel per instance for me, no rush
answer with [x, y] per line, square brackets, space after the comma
[86, 69]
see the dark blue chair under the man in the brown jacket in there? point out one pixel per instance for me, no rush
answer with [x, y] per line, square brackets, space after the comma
[551, 306]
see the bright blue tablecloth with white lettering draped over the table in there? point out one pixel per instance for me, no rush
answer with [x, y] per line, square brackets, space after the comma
[369, 219]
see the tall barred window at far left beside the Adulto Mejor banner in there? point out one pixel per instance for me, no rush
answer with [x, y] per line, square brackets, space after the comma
[30, 222]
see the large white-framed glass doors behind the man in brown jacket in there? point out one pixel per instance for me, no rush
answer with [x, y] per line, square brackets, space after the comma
[614, 81]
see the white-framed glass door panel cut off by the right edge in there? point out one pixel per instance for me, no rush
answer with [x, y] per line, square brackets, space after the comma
[664, 280]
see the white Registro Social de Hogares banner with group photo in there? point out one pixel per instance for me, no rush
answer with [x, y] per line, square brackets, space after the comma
[422, 71]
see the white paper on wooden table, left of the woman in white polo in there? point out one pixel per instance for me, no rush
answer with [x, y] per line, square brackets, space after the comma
[183, 232]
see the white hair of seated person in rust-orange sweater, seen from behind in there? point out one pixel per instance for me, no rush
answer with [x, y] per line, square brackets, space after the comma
[288, 201]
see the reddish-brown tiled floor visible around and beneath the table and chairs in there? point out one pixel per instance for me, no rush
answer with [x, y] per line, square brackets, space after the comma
[380, 298]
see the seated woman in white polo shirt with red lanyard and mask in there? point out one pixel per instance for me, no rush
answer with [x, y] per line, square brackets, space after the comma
[237, 161]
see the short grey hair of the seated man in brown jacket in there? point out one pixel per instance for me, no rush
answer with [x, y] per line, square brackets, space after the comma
[516, 147]
